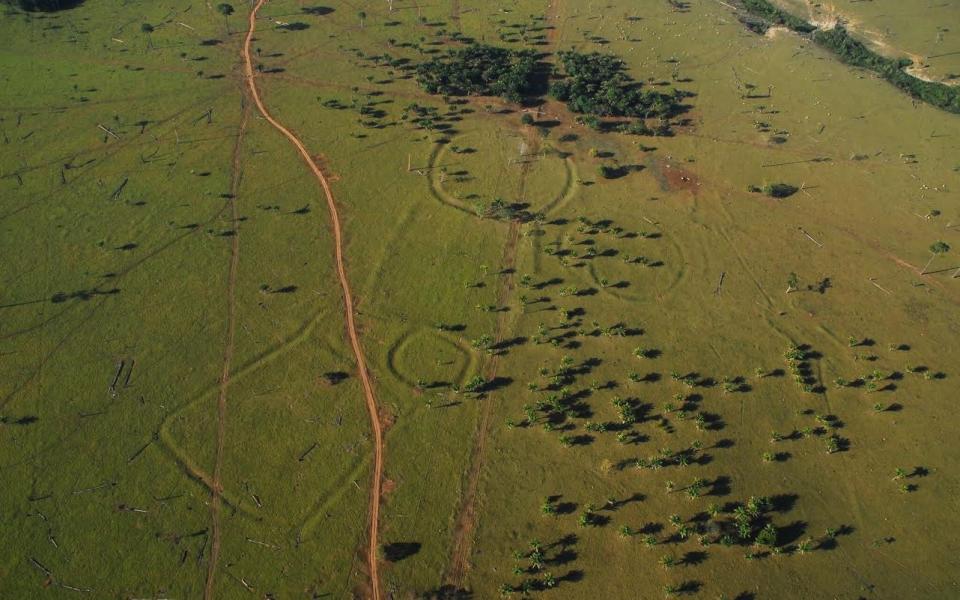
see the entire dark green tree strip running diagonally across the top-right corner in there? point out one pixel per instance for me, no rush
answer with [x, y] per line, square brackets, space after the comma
[854, 52]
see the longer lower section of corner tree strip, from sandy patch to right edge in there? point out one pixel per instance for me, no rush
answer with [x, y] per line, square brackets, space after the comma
[854, 52]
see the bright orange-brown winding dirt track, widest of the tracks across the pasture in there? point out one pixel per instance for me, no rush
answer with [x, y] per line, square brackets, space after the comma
[347, 300]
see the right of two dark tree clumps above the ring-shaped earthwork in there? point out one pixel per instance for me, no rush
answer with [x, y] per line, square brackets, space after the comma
[595, 84]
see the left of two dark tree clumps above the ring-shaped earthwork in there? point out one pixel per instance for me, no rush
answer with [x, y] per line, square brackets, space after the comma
[480, 70]
